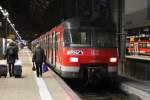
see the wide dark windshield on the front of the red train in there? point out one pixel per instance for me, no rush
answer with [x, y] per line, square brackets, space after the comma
[89, 38]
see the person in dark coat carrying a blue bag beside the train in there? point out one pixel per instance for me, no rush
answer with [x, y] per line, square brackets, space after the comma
[38, 57]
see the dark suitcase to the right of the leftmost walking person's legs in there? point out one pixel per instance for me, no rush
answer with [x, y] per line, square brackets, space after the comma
[17, 69]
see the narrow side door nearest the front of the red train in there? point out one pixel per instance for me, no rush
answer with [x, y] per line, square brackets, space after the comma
[53, 48]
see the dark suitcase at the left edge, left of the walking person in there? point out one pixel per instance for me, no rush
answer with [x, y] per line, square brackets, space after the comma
[3, 68]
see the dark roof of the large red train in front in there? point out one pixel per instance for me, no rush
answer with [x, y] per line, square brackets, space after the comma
[77, 23]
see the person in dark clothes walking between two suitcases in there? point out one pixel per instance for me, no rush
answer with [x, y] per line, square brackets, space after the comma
[11, 55]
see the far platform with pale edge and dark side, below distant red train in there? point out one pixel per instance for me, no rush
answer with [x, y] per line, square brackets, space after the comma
[137, 66]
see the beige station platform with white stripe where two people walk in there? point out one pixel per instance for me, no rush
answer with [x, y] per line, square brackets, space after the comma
[30, 87]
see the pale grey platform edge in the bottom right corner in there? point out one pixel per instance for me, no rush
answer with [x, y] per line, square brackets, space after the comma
[139, 88]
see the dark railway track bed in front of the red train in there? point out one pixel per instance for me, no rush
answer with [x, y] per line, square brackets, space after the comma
[100, 91]
